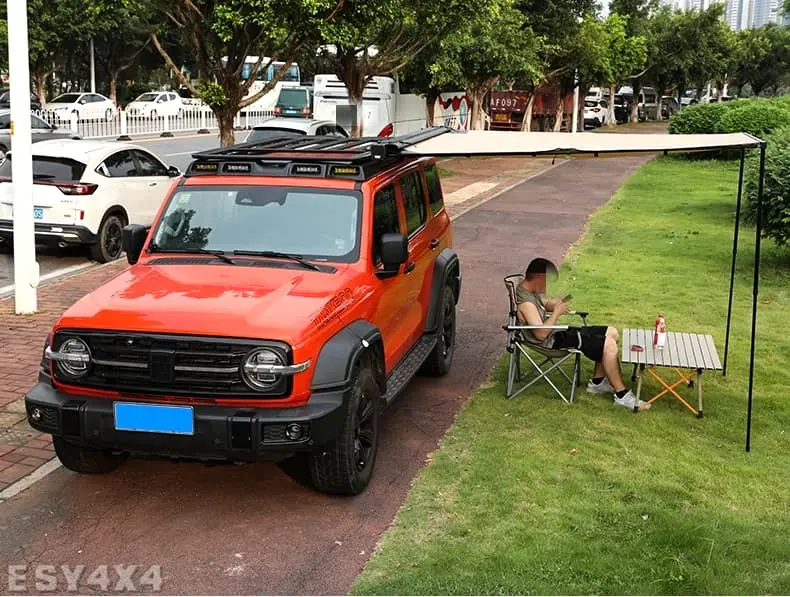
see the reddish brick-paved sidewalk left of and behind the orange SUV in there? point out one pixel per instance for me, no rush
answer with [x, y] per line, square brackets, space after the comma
[466, 183]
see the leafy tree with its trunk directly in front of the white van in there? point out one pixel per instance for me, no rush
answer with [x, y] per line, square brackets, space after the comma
[363, 47]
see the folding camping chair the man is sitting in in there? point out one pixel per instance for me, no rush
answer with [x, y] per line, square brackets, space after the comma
[518, 344]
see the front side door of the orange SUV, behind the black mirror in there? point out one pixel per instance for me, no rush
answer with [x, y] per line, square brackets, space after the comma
[391, 309]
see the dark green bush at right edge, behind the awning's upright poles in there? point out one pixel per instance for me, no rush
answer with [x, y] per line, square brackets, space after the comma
[776, 189]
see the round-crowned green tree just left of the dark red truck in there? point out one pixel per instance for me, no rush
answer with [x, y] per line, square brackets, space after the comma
[489, 48]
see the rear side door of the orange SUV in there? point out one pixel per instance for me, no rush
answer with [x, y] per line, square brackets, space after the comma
[416, 270]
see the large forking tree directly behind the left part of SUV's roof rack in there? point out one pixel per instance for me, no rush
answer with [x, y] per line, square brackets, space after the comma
[220, 34]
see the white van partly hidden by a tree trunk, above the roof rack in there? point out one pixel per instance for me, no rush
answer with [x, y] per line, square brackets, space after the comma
[378, 104]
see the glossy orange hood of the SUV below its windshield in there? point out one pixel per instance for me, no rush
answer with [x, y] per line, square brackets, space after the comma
[215, 300]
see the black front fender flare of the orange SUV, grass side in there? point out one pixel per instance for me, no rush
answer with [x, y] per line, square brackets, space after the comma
[341, 352]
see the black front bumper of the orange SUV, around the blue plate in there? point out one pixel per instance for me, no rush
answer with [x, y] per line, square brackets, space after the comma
[220, 432]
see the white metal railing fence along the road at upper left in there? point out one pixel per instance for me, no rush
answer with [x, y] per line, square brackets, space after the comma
[122, 125]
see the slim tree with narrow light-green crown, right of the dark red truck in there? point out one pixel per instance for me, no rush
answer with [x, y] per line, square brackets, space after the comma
[625, 55]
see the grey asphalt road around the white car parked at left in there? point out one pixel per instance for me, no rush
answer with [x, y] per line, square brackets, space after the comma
[175, 151]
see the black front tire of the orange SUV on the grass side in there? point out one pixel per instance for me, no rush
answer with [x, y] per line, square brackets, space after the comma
[342, 469]
